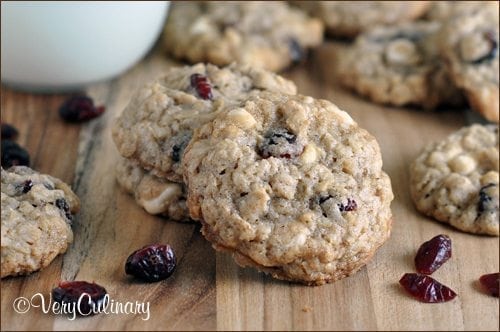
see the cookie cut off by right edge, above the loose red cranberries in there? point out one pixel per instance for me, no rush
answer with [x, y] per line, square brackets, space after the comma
[456, 180]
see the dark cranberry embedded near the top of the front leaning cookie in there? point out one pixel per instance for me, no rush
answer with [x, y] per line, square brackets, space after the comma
[280, 143]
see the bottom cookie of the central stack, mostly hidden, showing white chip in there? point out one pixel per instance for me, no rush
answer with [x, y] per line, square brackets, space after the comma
[154, 194]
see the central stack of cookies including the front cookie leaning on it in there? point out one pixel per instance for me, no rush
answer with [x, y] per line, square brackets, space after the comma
[288, 184]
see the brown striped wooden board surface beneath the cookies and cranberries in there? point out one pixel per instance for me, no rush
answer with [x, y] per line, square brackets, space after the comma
[208, 290]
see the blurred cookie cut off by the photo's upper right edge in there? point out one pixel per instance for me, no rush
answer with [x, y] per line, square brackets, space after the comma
[470, 46]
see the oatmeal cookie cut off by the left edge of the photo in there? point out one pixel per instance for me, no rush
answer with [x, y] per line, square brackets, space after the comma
[36, 220]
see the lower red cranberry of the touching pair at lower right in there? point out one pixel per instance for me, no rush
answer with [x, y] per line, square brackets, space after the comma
[426, 289]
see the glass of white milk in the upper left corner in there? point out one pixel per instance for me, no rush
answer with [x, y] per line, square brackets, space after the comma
[52, 46]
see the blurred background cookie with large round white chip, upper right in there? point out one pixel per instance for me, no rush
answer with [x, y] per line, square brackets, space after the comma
[400, 66]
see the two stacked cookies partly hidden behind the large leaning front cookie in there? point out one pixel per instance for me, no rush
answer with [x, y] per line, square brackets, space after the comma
[156, 126]
